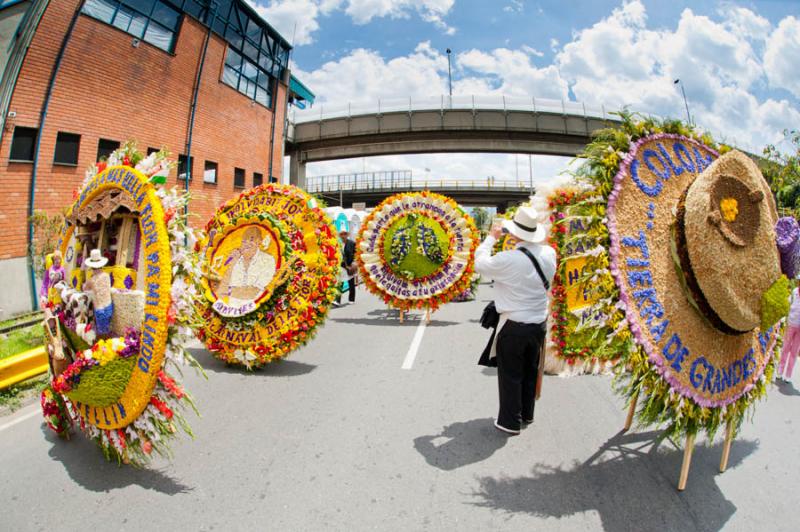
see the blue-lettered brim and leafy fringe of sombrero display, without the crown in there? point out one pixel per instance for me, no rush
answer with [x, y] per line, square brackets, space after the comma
[684, 374]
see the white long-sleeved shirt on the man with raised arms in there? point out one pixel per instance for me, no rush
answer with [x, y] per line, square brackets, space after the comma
[520, 294]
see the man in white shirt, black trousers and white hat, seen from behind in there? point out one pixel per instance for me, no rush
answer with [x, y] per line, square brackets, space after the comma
[521, 296]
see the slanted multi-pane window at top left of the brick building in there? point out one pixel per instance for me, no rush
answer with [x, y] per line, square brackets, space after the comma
[153, 21]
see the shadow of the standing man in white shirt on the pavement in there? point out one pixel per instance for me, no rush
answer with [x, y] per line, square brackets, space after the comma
[467, 442]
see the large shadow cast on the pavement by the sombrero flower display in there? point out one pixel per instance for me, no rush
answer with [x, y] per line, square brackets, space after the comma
[628, 487]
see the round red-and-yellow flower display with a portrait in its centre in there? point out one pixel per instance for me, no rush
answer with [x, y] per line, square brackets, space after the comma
[270, 268]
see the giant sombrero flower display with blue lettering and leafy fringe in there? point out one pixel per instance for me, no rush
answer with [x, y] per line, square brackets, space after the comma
[665, 222]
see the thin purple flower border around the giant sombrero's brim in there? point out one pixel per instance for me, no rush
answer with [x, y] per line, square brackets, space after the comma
[614, 253]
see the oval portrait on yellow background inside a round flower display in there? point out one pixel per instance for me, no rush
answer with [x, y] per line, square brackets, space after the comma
[246, 262]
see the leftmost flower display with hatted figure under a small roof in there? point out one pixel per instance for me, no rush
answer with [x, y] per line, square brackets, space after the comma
[119, 301]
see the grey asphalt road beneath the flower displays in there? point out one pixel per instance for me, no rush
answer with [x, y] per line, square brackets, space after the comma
[341, 437]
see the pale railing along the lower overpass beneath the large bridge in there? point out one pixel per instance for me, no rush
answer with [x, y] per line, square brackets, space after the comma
[404, 180]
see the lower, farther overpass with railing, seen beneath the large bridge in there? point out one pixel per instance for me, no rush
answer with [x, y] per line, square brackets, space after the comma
[370, 188]
